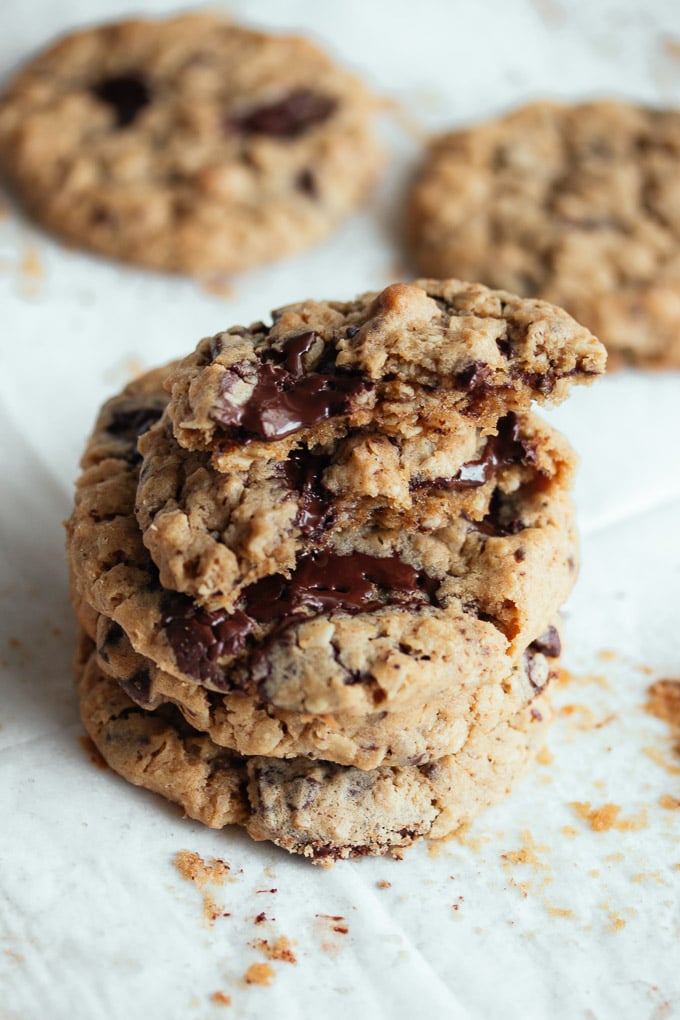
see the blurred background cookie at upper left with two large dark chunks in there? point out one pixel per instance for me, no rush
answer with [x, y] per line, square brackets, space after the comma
[190, 144]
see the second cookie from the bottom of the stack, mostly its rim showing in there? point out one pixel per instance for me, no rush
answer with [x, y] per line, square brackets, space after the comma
[249, 726]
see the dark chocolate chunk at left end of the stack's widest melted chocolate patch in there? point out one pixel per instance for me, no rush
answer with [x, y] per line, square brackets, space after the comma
[199, 638]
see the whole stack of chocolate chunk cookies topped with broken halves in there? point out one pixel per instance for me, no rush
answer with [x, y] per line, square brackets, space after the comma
[319, 566]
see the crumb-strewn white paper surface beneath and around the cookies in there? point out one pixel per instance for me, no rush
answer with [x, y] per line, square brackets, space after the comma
[96, 923]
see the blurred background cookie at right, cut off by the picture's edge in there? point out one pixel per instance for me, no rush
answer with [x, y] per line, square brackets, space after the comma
[576, 205]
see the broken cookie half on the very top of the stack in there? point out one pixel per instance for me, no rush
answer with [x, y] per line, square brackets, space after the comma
[435, 355]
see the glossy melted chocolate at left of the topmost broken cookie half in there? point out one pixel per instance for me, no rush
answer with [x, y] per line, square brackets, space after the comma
[286, 397]
